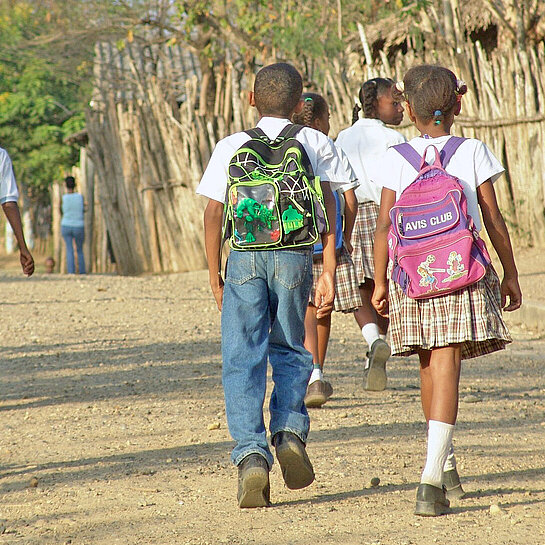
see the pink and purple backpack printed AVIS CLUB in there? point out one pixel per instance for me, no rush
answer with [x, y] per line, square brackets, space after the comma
[433, 243]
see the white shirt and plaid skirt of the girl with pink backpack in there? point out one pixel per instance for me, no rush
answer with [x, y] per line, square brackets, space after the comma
[471, 316]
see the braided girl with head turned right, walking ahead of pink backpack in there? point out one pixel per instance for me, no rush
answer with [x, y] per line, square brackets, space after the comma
[365, 143]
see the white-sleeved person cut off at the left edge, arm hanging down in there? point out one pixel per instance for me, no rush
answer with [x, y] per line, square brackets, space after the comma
[8, 199]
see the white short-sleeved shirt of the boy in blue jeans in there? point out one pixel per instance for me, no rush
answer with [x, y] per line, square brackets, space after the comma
[320, 149]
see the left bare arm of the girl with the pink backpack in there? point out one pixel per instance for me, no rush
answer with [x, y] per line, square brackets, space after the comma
[380, 293]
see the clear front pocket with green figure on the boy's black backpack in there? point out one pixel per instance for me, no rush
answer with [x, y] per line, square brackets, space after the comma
[254, 215]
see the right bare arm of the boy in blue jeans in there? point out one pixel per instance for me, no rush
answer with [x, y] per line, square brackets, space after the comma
[325, 287]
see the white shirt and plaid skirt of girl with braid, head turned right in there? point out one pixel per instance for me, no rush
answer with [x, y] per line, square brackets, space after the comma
[365, 143]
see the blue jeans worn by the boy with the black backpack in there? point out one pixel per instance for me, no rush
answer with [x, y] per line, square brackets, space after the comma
[264, 303]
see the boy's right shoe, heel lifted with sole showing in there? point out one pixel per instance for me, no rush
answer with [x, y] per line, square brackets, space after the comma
[293, 459]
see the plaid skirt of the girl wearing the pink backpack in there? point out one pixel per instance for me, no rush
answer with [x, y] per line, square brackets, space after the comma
[471, 317]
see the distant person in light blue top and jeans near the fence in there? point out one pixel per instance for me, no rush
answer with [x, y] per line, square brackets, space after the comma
[72, 226]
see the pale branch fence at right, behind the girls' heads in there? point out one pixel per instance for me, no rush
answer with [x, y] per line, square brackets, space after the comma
[504, 108]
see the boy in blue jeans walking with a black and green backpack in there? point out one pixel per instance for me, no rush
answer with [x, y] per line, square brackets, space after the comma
[265, 294]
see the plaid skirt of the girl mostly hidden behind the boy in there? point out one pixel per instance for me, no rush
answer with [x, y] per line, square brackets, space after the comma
[347, 293]
